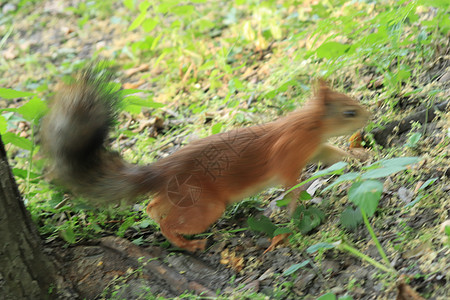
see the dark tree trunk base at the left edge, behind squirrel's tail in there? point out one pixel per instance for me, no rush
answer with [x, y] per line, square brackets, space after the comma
[25, 271]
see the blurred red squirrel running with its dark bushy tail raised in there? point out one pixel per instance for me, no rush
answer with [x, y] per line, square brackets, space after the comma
[192, 187]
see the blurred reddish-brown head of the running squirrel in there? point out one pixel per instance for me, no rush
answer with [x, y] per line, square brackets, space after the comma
[341, 114]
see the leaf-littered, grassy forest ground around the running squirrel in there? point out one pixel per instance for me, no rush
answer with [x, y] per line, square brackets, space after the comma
[220, 66]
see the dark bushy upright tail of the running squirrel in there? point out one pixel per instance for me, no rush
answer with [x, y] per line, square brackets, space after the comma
[73, 134]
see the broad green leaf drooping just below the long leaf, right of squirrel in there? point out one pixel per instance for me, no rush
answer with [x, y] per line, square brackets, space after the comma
[366, 194]
